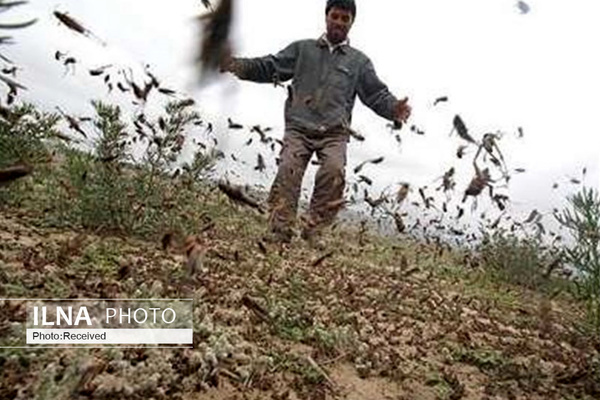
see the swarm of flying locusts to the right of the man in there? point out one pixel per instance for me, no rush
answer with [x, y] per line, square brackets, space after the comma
[490, 176]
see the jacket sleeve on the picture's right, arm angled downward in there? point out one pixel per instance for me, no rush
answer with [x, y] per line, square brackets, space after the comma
[374, 93]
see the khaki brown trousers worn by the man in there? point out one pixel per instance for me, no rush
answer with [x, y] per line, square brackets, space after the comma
[327, 196]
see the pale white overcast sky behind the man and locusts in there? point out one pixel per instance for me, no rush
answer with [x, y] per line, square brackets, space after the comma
[501, 69]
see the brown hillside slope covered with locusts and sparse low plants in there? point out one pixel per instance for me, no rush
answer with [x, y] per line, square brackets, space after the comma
[370, 318]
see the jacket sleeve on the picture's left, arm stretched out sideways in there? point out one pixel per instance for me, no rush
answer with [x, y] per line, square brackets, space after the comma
[272, 68]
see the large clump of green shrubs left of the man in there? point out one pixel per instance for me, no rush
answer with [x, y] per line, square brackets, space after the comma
[105, 188]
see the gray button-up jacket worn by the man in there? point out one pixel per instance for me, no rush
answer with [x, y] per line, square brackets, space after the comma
[324, 84]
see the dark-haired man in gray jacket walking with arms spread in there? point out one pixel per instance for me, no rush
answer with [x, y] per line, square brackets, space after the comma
[327, 74]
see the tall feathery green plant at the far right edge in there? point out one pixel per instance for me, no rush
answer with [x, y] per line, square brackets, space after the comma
[582, 220]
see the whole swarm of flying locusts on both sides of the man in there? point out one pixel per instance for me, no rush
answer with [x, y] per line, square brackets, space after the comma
[214, 49]
